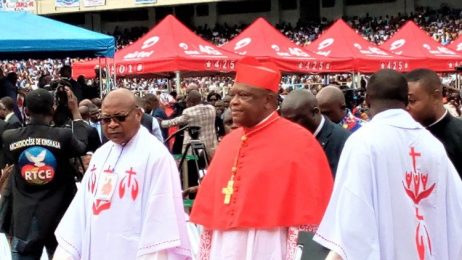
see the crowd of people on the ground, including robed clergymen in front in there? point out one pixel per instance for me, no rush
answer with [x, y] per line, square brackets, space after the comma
[392, 153]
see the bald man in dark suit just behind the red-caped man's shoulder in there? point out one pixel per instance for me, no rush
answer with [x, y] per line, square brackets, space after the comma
[301, 107]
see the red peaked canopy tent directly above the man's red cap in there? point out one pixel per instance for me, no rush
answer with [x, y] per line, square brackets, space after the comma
[262, 41]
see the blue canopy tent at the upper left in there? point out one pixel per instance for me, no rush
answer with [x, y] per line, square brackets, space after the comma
[25, 35]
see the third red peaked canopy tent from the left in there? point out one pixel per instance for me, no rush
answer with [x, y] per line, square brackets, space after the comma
[341, 41]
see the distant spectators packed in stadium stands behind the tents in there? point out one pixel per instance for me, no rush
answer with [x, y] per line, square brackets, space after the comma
[444, 25]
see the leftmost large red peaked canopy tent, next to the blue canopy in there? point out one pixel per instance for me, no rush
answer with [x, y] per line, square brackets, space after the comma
[169, 47]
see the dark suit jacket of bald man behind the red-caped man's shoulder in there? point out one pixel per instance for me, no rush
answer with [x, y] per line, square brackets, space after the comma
[332, 138]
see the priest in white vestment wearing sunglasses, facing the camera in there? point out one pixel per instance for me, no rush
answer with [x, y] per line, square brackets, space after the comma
[129, 205]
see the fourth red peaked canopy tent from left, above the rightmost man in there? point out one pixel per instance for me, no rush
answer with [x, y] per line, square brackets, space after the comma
[412, 41]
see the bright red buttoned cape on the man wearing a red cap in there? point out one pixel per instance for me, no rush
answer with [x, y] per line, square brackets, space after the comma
[282, 180]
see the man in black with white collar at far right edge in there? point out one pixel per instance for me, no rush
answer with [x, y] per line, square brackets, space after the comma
[426, 107]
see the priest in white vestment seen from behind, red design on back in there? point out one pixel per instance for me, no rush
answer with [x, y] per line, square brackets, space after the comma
[396, 196]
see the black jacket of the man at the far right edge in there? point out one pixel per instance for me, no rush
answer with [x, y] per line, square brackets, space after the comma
[449, 132]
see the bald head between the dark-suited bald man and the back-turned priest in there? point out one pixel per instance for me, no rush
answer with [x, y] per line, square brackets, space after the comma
[331, 101]
